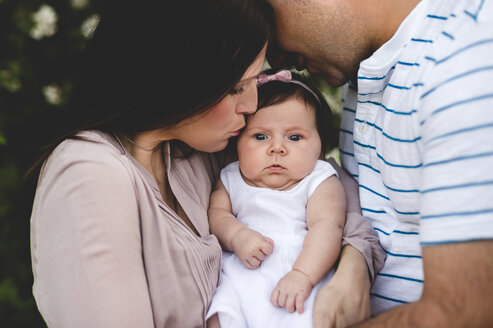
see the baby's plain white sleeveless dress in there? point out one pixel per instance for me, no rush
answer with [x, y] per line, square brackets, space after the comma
[242, 298]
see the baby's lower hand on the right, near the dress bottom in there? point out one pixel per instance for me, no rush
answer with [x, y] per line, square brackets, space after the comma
[292, 291]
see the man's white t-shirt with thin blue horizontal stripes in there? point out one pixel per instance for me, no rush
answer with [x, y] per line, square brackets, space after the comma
[418, 137]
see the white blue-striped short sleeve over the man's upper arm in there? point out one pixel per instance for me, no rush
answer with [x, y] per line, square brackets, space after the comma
[456, 120]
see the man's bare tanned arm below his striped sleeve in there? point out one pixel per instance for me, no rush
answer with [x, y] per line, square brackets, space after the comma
[457, 291]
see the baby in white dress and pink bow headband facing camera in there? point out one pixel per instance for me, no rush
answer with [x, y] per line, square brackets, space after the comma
[279, 209]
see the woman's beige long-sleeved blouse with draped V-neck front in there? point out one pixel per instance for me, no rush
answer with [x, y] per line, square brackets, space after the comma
[106, 249]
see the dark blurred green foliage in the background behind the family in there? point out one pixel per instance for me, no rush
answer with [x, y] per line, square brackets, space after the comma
[27, 120]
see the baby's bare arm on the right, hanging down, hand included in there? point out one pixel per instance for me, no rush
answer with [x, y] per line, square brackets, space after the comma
[325, 217]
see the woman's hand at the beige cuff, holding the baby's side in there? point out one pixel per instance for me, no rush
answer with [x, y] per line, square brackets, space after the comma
[345, 299]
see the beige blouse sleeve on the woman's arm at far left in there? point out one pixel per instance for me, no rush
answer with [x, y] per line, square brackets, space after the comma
[86, 245]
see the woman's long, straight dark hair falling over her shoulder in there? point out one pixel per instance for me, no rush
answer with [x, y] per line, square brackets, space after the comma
[152, 63]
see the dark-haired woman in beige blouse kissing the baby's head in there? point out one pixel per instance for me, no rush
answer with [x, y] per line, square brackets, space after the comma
[119, 228]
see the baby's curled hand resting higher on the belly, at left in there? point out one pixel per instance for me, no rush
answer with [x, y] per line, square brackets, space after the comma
[251, 247]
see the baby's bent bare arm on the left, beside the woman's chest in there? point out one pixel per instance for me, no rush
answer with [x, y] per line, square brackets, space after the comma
[250, 246]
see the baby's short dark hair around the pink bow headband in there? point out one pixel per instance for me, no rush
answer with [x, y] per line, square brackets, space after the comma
[276, 92]
